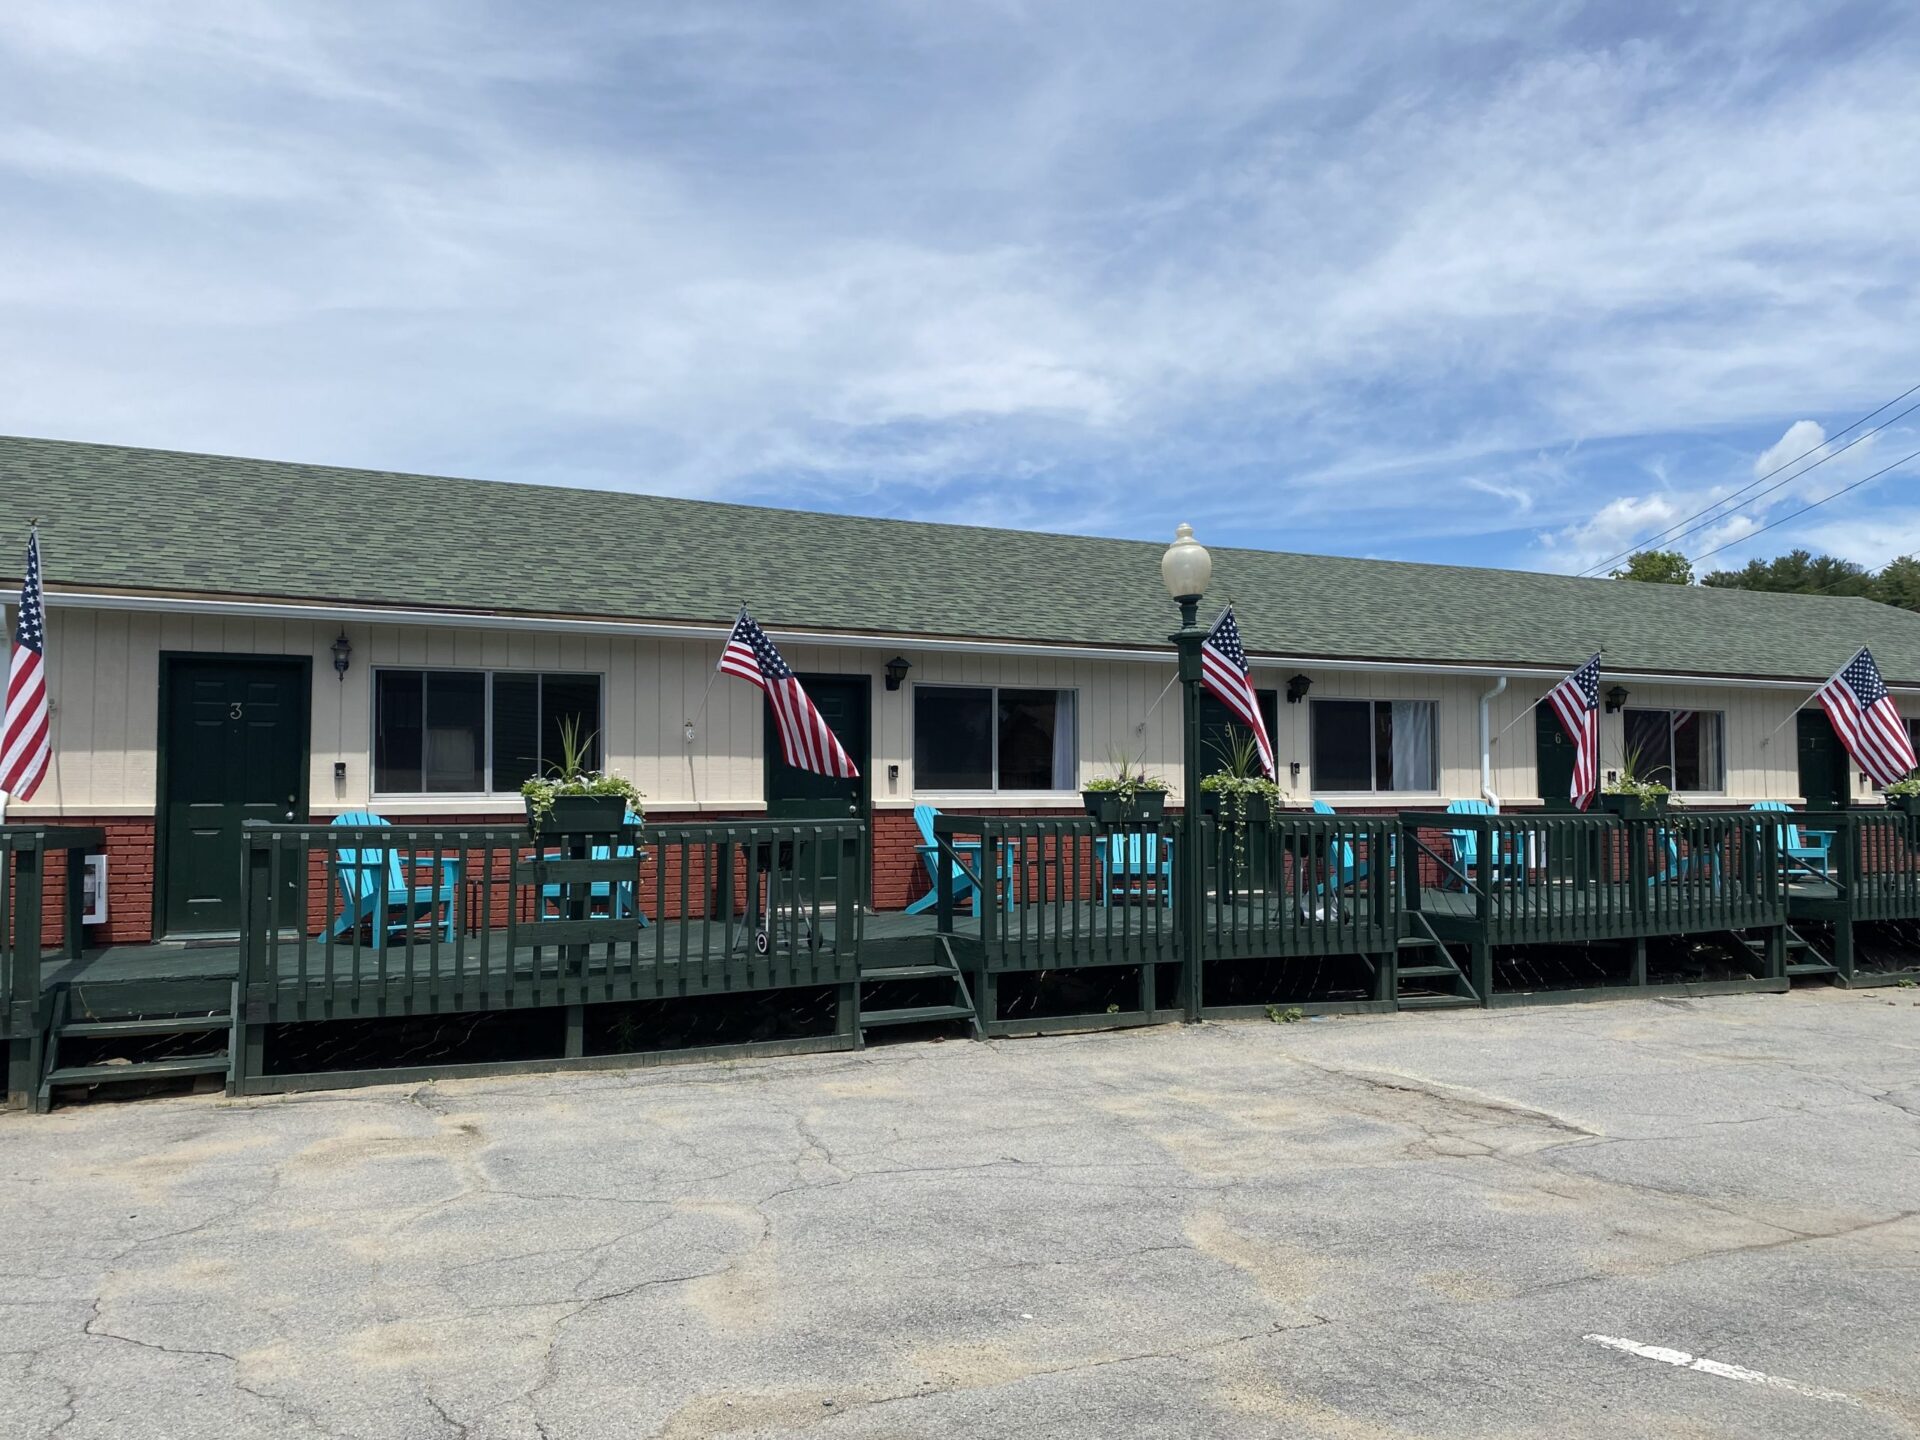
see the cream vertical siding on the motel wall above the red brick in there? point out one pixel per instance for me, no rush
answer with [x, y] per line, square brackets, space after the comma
[105, 671]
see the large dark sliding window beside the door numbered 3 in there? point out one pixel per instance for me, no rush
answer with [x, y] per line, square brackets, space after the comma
[475, 732]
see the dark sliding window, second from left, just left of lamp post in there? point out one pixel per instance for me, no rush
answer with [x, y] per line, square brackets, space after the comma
[996, 740]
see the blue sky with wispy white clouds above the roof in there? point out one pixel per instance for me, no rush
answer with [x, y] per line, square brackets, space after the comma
[1500, 285]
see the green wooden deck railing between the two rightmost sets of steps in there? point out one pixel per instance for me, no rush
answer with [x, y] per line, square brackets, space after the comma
[1581, 878]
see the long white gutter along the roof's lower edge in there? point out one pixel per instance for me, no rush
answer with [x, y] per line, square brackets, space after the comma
[861, 640]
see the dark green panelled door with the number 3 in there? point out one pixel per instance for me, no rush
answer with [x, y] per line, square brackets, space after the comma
[233, 750]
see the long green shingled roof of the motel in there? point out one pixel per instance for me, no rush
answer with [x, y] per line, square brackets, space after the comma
[145, 519]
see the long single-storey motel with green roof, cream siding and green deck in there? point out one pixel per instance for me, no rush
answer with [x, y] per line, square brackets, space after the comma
[245, 652]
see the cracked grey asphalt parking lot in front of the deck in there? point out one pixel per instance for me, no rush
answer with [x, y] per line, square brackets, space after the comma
[1389, 1228]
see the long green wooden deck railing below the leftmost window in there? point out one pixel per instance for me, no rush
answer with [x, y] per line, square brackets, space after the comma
[483, 919]
